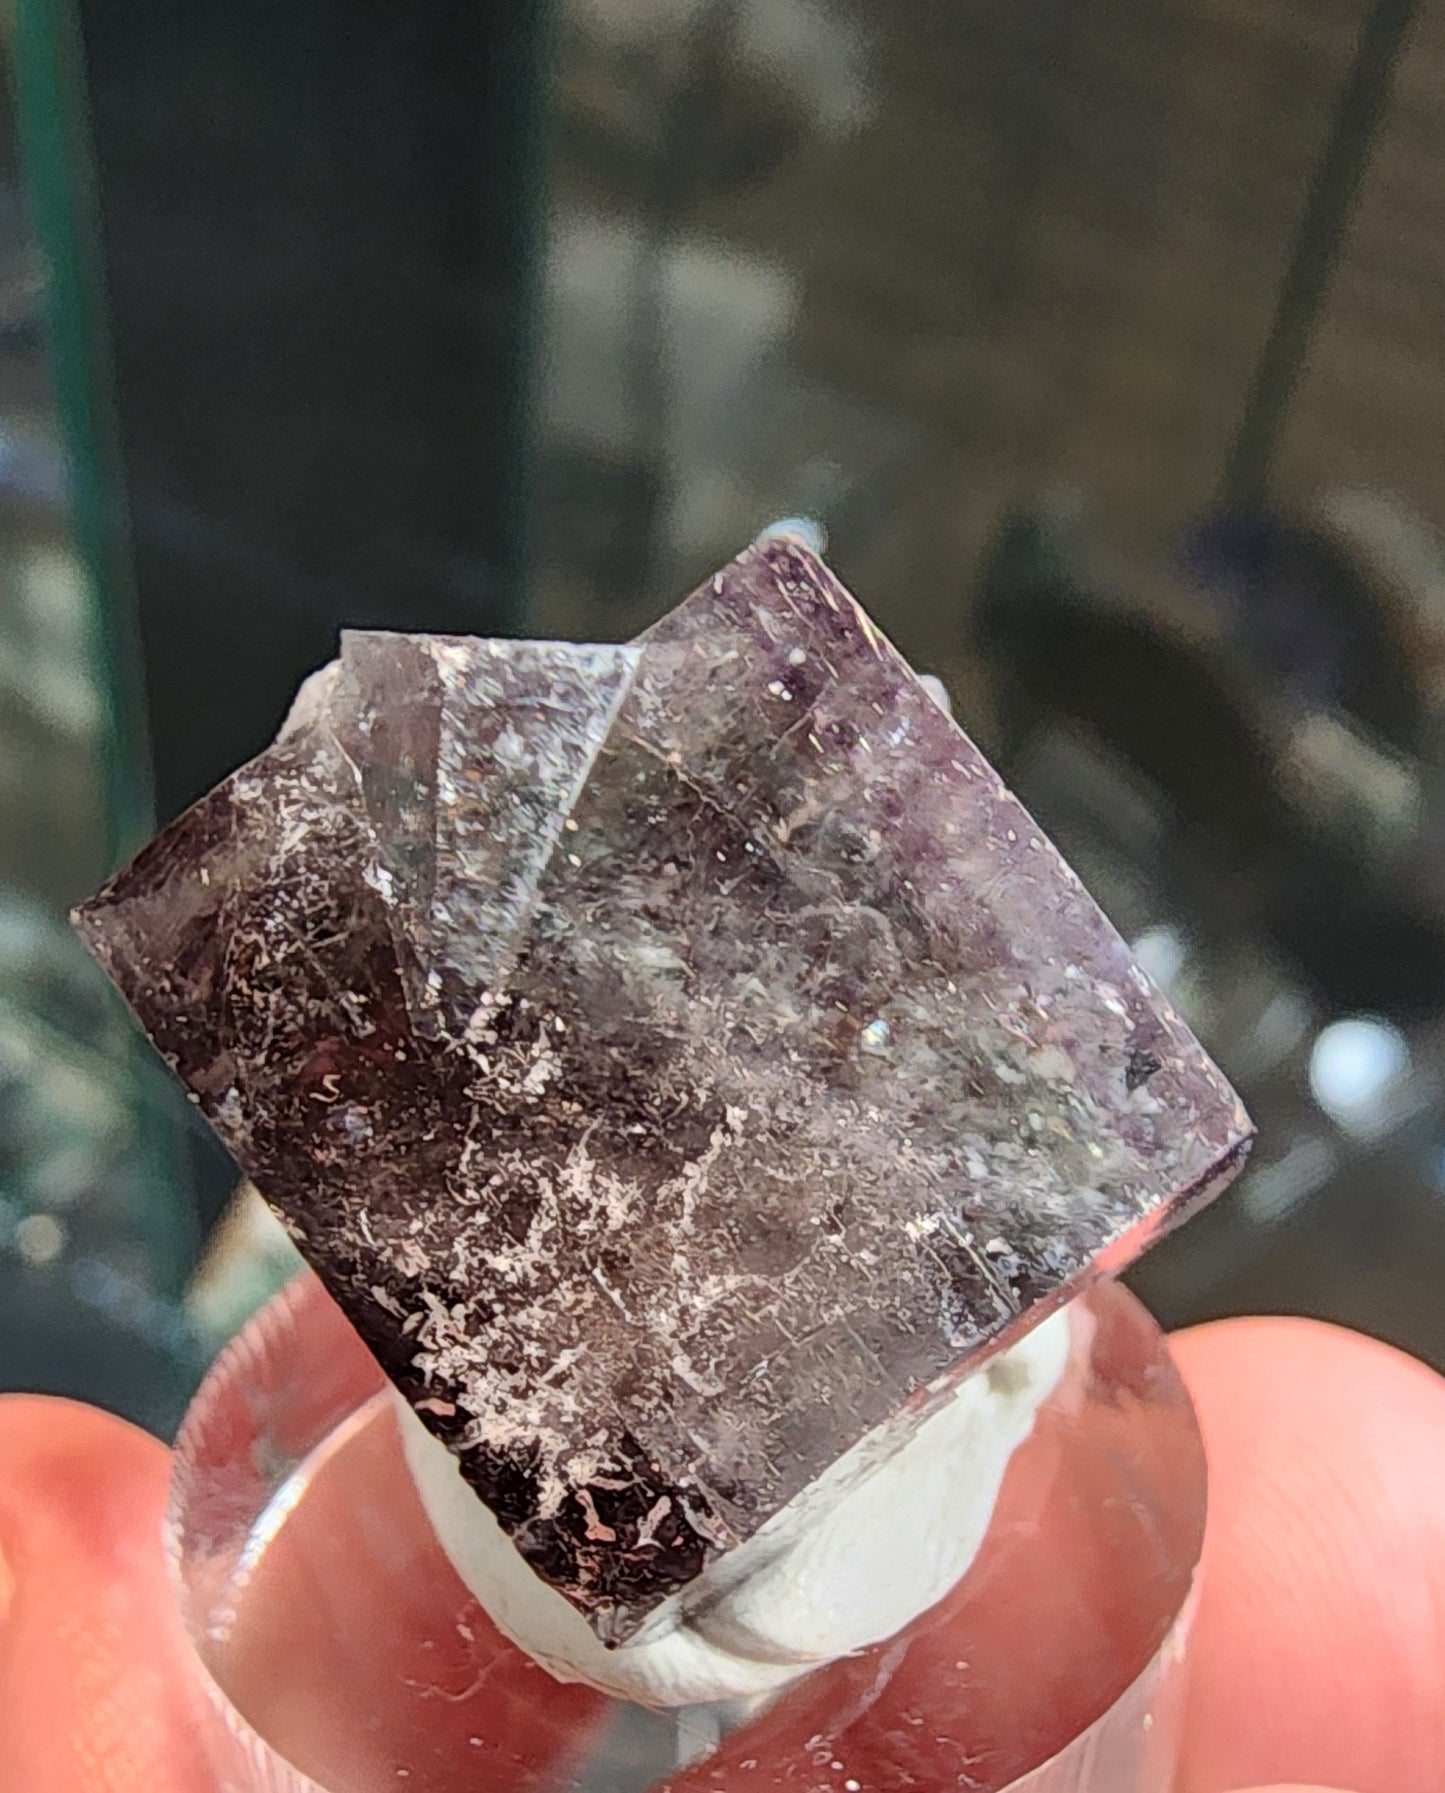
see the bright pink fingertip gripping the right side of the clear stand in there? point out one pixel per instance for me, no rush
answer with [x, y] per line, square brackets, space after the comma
[1322, 1620]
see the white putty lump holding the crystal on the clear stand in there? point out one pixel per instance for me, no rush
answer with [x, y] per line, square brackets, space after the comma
[874, 1543]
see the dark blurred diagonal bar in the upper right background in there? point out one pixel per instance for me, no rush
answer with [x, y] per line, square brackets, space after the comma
[1317, 250]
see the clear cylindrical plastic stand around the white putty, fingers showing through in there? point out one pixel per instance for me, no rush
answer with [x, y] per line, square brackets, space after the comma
[338, 1652]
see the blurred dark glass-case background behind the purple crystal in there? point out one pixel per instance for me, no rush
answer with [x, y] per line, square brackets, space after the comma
[1100, 342]
